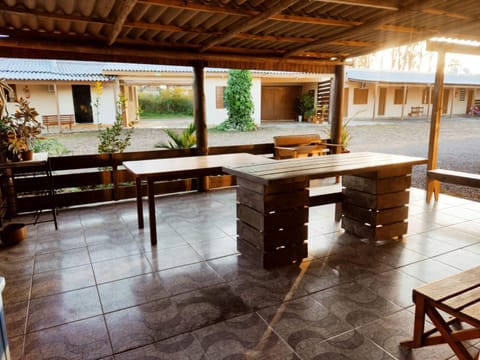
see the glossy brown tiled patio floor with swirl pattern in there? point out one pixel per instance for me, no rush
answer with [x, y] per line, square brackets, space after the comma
[96, 289]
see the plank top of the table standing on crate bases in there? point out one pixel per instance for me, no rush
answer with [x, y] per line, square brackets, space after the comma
[320, 167]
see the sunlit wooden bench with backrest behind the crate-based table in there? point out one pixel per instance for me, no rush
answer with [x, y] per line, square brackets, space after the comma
[295, 146]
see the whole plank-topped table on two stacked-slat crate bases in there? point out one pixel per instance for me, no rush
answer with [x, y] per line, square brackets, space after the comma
[272, 204]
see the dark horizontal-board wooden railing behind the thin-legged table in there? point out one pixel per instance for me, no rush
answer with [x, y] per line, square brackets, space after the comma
[87, 179]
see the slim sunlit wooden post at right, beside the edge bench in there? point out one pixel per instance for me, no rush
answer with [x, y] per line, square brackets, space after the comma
[433, 186]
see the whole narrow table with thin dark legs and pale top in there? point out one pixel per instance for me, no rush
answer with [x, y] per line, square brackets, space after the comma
[150, 171]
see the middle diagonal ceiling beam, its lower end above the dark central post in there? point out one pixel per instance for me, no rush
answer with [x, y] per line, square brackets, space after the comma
[248, 24]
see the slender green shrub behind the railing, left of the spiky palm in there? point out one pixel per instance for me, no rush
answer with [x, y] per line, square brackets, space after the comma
[115, 138]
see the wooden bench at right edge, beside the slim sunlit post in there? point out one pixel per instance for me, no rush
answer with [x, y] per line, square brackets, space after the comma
[449, 176]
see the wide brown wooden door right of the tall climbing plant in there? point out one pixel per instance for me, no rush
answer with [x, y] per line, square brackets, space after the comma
[280, 102]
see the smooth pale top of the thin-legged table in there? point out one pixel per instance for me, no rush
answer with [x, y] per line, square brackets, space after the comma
[190, 165]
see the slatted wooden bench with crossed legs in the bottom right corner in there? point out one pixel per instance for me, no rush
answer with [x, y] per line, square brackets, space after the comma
[459, 297]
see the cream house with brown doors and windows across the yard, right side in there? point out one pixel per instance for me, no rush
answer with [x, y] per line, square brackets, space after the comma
[381, 94]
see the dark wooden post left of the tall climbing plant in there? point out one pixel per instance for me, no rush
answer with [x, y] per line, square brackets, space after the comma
[200, 118]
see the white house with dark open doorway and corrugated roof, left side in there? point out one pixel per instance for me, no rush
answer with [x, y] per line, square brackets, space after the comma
[68, 87]
